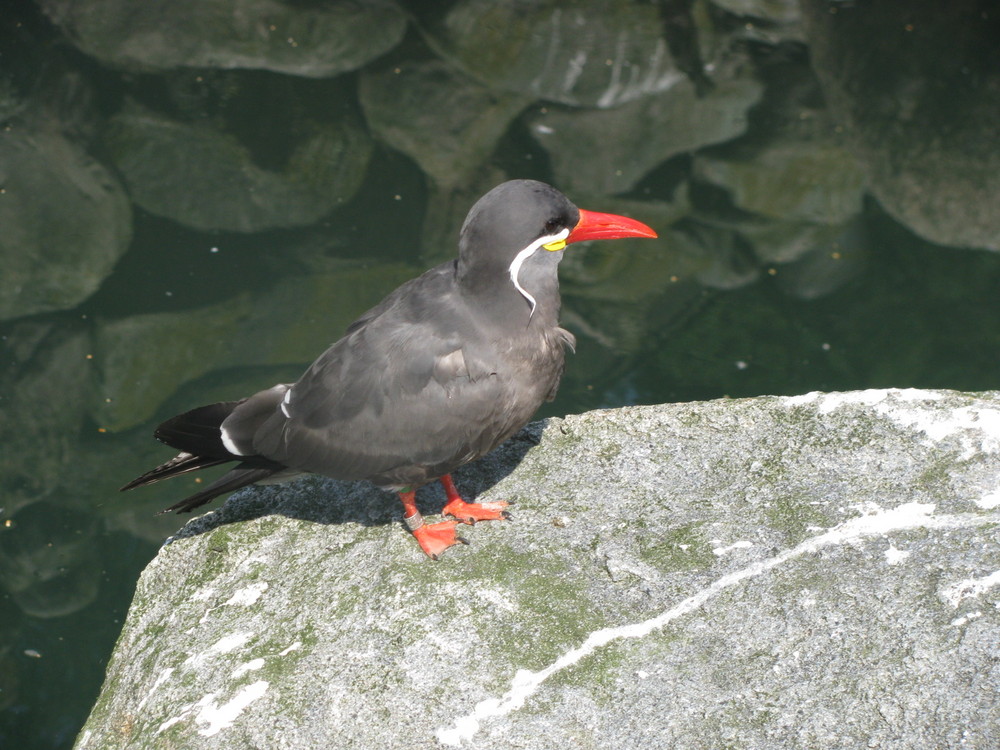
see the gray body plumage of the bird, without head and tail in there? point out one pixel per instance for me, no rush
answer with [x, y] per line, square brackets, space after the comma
[423, 383]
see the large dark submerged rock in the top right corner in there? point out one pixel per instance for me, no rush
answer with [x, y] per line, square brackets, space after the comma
[918, 93]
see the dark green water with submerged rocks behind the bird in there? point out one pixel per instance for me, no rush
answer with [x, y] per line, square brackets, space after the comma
[825, 193]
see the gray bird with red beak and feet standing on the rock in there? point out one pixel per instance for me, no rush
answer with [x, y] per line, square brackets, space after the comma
[439, 373]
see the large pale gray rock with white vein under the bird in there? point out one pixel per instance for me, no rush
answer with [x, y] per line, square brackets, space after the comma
[814, 571]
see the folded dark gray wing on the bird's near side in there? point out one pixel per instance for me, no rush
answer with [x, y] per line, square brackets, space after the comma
[399, 390]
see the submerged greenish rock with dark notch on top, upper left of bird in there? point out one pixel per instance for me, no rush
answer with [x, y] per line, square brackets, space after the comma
[203, 177]
